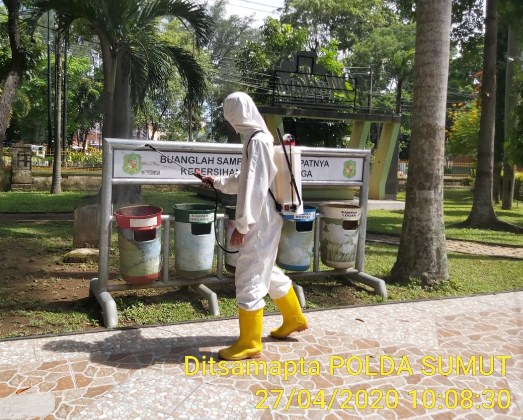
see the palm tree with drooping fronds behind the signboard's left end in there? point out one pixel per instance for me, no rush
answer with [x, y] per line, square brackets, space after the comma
[134, 58]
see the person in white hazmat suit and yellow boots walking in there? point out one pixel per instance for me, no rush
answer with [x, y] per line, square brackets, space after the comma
[257, 233]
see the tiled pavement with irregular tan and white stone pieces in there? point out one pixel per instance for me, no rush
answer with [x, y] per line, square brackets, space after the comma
[440, 359]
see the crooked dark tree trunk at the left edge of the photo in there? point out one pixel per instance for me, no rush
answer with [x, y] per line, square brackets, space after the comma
[16, 69]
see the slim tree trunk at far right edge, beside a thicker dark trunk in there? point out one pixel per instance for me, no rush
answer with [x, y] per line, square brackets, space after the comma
[507, 195]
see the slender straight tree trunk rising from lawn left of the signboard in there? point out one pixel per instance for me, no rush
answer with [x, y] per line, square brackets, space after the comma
[56, 184]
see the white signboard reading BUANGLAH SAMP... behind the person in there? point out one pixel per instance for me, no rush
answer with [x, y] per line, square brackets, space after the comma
[182, 165]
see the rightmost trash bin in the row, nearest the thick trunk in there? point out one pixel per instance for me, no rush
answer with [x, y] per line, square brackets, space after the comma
[339, 231]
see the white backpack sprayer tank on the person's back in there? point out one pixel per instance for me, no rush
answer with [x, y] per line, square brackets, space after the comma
[287, 184]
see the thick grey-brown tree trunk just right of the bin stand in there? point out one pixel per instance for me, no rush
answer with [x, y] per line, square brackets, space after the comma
[422, 250]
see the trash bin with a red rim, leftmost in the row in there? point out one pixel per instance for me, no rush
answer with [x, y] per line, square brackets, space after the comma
[139, 242]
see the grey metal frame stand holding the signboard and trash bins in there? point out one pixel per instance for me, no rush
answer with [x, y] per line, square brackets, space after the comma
[100, 286]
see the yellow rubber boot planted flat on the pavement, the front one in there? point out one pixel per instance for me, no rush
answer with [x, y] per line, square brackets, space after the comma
[249, 344]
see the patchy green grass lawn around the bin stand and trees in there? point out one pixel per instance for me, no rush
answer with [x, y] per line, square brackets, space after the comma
[52, 297]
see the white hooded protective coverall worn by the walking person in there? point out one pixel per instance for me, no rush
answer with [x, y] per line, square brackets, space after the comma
[256, 215]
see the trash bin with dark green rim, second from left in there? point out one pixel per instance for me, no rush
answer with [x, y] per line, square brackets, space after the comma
[193, 240]
